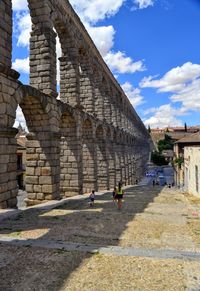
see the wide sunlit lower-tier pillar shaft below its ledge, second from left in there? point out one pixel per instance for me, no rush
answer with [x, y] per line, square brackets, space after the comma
[43, 167]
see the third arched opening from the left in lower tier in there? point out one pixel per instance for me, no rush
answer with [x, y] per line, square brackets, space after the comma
[88, 157]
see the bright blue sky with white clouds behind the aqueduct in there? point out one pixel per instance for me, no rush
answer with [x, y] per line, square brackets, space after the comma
[151, 46]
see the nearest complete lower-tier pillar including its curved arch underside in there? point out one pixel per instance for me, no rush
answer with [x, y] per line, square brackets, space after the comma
[43, 148]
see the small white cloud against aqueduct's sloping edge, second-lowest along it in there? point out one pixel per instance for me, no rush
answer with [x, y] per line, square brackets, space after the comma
[133, 94]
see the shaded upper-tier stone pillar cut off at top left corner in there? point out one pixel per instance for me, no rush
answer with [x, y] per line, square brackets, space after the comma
[5, 33]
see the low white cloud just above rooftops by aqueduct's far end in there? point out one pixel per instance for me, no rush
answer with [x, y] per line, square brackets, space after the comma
[164, 116]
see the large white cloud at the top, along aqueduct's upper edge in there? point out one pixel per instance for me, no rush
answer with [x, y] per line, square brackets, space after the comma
[91, 11]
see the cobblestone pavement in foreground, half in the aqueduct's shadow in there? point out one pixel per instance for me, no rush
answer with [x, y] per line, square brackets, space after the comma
[153, 243]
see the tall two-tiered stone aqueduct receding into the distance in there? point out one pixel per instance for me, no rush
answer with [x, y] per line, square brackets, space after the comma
[89, 139]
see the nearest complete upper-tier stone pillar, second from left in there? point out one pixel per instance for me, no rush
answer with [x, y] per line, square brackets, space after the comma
[43, 60]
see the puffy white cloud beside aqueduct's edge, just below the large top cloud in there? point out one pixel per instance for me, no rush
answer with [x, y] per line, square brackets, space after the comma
[120, 63]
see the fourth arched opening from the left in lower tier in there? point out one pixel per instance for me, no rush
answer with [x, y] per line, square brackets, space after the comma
[102, 160]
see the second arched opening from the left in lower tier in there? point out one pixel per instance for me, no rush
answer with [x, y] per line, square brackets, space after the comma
[69, 157]
